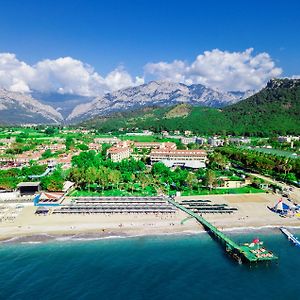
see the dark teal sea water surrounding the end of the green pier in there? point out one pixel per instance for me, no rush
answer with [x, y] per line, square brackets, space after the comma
[164, 267]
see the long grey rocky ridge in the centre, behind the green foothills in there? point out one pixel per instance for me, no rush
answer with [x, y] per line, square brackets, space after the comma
[155, 93]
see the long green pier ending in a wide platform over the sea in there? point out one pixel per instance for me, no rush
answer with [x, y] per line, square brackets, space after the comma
[249, 253]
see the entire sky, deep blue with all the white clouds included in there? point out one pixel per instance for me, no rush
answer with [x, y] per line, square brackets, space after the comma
[91, 47]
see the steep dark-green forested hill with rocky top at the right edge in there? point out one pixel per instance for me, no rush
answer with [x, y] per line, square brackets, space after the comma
[275, 109]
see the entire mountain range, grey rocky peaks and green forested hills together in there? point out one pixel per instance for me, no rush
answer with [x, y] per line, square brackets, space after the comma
[162, 105]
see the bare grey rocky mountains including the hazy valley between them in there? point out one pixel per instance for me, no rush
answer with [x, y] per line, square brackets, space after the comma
[54, 108]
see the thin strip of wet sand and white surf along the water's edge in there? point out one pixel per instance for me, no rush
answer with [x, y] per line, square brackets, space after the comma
[62, 237]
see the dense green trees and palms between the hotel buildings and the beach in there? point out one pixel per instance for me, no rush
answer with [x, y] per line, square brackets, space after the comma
[96, 175]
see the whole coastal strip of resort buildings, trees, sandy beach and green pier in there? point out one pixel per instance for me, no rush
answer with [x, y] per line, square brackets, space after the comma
[141, 182]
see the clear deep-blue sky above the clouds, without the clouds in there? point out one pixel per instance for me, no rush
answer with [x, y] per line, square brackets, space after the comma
[131, 34]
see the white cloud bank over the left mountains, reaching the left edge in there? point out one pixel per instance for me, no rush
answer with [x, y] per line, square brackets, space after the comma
[63, 75]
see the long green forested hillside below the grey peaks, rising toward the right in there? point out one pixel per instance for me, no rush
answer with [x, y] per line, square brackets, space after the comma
[273, 110]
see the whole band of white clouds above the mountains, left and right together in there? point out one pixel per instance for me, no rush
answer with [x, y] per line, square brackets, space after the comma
[217, 69]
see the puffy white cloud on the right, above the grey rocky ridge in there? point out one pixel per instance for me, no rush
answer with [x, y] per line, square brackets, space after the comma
[219, 69]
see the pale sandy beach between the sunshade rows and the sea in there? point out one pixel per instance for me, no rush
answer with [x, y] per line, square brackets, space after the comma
[252, 213]
